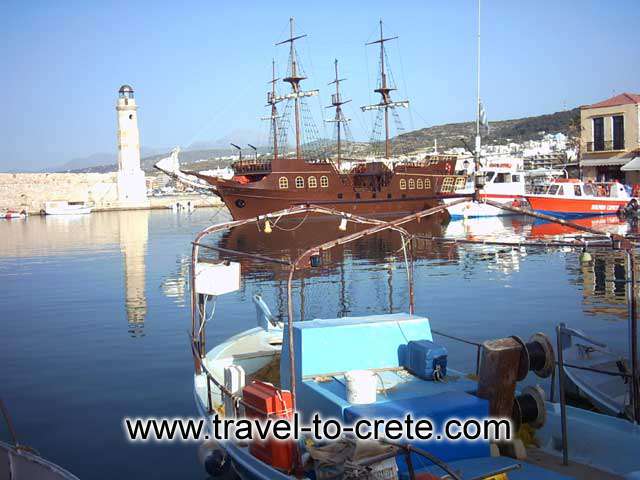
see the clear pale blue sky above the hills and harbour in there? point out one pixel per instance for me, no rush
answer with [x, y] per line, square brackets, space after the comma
[200, 69]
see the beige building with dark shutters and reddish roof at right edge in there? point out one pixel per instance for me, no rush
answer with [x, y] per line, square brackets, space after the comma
[610, 139]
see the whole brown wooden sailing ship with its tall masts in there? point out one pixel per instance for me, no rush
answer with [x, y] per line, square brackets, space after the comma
[385, 186]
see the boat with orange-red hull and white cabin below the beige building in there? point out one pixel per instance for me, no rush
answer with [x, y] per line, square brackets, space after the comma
[568, 197]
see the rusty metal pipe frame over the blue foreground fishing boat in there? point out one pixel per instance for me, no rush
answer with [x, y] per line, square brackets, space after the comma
[610, 240]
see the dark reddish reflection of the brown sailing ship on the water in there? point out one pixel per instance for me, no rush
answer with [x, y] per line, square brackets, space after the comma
[345, 269]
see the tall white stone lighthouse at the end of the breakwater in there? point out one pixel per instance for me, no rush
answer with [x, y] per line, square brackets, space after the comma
[132, 189]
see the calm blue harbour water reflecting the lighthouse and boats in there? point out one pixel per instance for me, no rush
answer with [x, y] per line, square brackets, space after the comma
[94, 322]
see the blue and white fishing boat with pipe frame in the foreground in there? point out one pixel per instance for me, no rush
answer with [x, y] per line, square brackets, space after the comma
[364, 367]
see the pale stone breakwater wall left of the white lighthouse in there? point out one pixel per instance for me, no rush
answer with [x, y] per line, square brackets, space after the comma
[29, 191]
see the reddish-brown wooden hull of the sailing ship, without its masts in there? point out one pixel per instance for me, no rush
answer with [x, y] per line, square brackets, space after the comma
[372, 189]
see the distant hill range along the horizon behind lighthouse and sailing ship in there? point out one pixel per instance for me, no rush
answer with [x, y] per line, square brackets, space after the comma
[448, 136]
